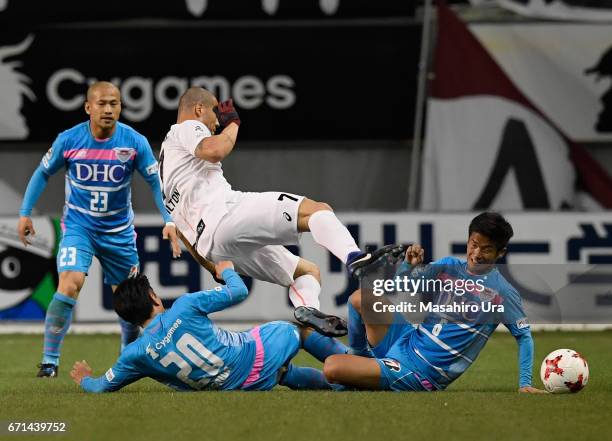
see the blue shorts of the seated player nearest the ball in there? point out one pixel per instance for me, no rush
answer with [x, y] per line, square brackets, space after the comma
[398, 371]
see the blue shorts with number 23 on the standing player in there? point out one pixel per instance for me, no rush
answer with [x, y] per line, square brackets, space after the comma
[116, 252]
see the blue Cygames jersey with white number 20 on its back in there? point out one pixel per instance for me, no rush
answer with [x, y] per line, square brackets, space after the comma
[183, 349]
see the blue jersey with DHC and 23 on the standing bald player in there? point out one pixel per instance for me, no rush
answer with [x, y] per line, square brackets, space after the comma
[98, 177]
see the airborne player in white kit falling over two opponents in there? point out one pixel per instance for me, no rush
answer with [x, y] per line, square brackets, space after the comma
[219, 223]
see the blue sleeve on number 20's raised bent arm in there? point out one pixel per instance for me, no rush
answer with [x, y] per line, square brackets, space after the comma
[222, 297]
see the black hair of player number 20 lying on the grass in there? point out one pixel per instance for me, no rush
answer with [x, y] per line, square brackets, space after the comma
[132, 301]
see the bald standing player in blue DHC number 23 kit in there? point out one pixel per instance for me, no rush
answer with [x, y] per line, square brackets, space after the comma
[100, 156]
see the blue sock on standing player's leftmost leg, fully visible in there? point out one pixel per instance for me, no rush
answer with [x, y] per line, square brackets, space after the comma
[57, 322]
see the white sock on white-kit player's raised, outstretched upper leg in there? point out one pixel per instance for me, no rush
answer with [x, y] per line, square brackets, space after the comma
[330, 233]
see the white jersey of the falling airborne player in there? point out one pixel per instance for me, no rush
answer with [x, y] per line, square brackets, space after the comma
[195, 190]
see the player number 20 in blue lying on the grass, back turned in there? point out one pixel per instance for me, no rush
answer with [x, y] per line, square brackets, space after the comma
[182, 348]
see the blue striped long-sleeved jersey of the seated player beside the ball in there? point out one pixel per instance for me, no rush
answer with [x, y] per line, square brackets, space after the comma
[445, 345]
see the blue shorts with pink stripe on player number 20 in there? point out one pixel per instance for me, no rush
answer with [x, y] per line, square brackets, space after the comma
[276, 344]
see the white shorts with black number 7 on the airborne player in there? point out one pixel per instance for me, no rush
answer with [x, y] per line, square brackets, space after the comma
[253, 233]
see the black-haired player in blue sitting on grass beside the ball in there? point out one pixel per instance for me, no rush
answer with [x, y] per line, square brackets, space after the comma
[400, 357]
